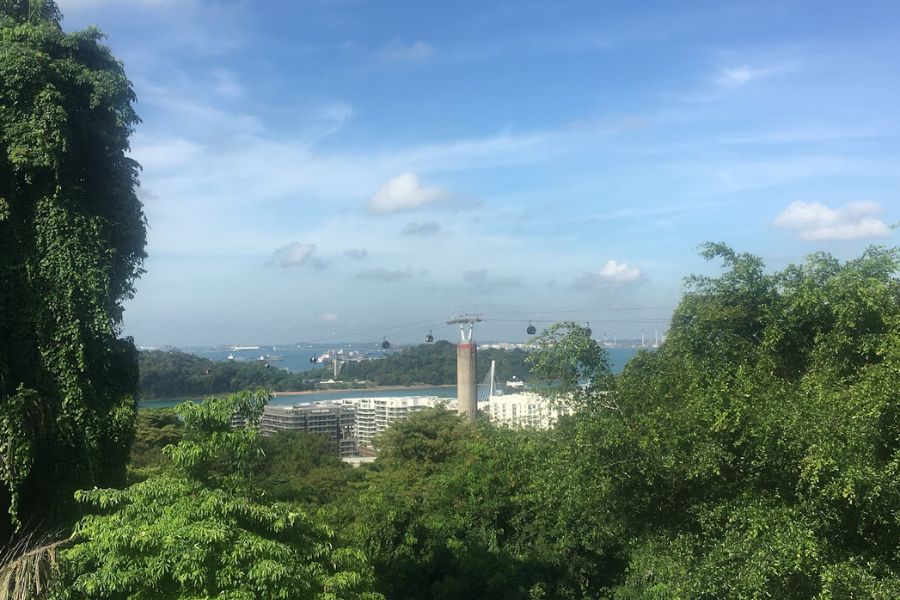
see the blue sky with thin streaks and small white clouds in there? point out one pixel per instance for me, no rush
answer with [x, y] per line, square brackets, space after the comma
[348, 170]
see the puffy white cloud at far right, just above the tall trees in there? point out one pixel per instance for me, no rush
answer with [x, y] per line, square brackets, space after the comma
[813, 221]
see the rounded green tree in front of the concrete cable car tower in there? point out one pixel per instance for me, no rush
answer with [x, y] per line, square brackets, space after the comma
[439, 515]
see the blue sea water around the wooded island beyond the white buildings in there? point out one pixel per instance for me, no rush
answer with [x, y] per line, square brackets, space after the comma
[300, 358]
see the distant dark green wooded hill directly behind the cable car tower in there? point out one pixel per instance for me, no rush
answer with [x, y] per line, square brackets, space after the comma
[432, 364]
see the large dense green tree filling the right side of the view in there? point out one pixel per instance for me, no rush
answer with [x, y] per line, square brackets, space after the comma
[755, 454]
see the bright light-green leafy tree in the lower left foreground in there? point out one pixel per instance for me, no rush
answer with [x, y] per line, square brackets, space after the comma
[203, 530]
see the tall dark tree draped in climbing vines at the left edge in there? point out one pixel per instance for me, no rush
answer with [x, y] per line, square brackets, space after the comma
[72, 236]
